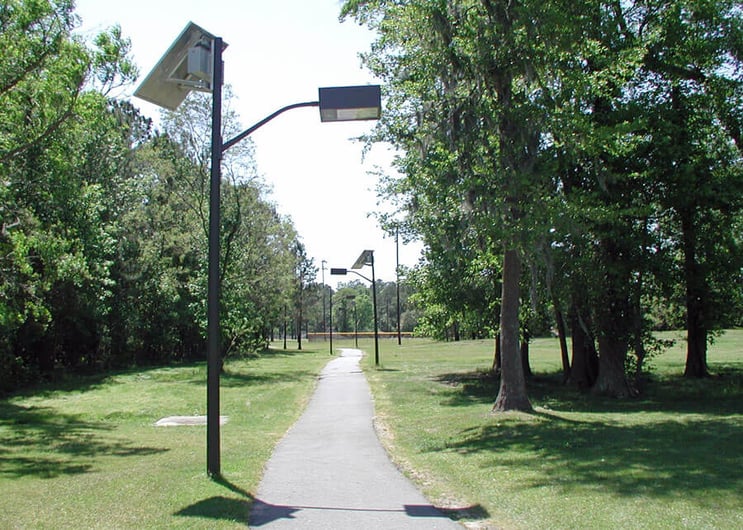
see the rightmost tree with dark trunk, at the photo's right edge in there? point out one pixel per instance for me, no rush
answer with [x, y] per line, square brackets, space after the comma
[695, 114]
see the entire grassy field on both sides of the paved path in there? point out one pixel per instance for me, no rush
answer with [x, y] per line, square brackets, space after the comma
[87, 454]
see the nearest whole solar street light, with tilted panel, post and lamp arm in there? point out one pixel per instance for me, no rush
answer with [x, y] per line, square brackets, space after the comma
[194, 62]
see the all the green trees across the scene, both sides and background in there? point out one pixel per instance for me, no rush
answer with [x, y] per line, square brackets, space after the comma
[573, 166]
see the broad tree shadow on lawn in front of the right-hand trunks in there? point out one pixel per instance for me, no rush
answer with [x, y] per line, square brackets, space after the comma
[663, 459]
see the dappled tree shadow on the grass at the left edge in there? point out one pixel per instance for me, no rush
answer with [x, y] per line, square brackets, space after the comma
[41, 442]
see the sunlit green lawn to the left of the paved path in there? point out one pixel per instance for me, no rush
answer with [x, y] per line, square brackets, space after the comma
[89, 456]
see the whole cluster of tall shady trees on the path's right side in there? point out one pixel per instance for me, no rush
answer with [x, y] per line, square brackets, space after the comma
[583, 156]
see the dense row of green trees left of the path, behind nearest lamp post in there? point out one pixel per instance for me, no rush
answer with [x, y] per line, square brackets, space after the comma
[104, 218]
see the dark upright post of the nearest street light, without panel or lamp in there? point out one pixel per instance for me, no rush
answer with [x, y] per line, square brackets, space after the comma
[213, 332]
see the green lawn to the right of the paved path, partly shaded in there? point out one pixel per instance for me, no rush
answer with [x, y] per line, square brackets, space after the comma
[669, 459]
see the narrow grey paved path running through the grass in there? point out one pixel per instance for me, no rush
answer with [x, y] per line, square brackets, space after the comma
[331, 472]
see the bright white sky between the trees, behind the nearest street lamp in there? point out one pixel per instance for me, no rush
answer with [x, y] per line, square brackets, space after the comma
[280, 52]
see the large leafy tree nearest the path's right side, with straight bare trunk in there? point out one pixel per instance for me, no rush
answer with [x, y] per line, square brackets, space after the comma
[466, 107]
